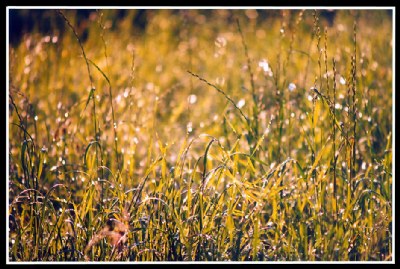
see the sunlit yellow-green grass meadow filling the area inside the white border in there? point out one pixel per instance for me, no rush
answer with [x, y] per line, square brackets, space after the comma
[200, 135]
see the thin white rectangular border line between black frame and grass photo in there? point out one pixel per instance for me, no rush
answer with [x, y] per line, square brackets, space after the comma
[207, 7]
